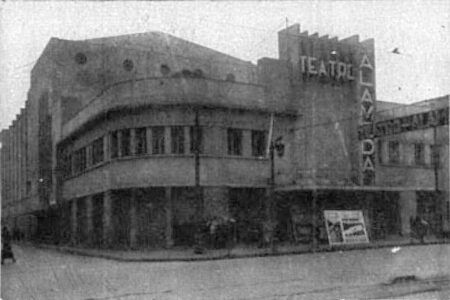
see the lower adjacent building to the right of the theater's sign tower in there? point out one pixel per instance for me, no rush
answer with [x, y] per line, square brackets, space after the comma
[412, 153]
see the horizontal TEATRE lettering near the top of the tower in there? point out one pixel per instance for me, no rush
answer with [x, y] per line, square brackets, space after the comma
[332, 69]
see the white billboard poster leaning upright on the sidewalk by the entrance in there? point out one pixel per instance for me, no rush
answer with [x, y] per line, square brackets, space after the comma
[345, 227]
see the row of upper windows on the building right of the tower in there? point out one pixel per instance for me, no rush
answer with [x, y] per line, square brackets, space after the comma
[394, 155]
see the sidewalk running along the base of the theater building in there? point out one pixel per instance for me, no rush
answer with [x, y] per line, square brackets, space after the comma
[239, 251]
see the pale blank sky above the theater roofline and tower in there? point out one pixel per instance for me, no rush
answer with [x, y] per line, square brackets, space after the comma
[248, 30]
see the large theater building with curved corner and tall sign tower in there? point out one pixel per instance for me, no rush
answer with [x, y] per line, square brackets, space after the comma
[133, 140]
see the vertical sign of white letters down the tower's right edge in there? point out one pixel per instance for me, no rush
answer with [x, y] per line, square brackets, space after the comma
[366, 82]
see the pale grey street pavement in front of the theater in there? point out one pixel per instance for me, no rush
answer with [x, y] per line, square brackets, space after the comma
[412, 272]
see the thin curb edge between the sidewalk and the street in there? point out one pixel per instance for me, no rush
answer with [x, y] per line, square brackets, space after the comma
[193, 258]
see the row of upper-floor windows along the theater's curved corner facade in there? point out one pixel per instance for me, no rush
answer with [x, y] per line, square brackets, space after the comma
[152, 140]
